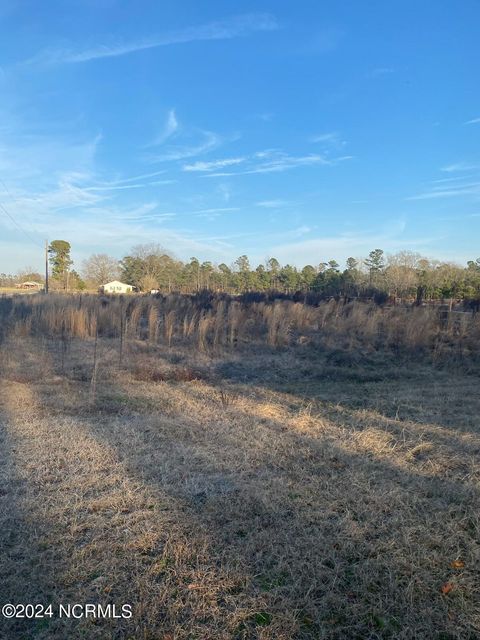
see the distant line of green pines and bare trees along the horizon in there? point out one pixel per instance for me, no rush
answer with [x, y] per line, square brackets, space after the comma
[405, 274]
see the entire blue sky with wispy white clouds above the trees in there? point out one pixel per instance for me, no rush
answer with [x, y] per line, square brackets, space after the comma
[301, 130]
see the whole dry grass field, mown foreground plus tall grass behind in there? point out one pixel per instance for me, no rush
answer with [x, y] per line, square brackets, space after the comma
[313, 479]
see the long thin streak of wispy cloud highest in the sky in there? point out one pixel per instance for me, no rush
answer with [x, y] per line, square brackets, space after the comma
[233, 27]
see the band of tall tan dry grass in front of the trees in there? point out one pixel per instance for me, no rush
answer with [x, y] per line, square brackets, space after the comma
[226, 323]
